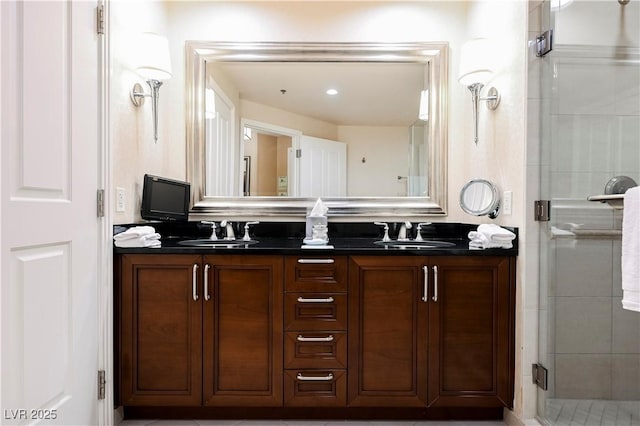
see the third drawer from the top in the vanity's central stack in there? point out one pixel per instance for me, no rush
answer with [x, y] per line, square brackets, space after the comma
[315, 350]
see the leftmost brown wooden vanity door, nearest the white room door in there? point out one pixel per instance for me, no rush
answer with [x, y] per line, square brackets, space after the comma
[161, 330]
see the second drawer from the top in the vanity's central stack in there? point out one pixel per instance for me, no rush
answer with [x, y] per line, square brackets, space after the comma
[315, 311]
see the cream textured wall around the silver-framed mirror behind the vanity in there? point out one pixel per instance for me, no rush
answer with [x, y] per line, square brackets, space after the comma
[499, 155]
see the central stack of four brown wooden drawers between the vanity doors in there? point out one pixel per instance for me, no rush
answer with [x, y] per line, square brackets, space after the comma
[316, 331]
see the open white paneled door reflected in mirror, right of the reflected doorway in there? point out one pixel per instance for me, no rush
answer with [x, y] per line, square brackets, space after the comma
[323, 167]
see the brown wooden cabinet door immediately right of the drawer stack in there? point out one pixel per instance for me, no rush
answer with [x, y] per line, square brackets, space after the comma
[387, 332]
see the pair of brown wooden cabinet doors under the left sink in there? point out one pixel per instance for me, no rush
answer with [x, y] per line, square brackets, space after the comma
[201, 330]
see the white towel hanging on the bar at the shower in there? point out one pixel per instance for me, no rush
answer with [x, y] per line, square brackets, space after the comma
[631, 250]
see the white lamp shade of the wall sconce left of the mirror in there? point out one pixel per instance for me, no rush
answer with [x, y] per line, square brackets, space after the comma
[153, 57]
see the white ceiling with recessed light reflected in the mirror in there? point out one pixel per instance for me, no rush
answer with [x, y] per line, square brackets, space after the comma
[380, 93]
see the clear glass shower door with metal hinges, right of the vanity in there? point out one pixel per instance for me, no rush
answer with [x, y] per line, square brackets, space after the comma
[590, 124]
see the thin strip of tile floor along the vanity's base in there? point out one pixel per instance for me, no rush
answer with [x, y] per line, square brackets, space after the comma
[306, 423]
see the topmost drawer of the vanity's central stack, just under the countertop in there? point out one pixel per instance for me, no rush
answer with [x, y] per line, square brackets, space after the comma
[316, 273]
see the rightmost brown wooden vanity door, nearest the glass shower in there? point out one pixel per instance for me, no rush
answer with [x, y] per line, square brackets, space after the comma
[471, 330]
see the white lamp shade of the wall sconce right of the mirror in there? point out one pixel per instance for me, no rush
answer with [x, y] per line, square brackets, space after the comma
[475, 62]
